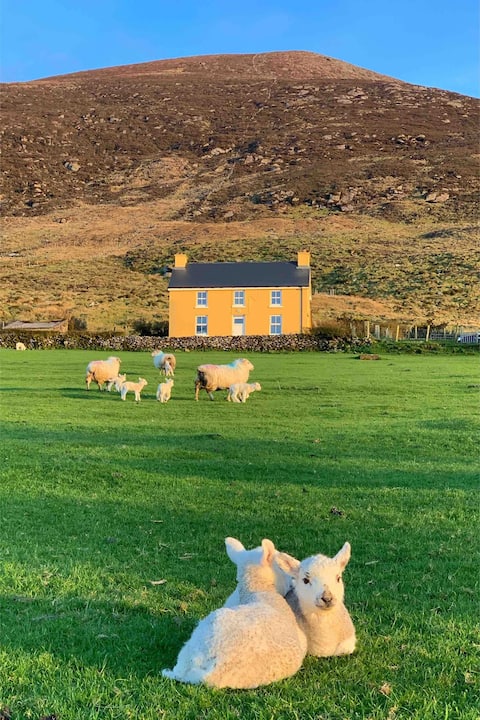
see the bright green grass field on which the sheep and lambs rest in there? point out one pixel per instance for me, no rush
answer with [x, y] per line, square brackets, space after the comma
[101, 500]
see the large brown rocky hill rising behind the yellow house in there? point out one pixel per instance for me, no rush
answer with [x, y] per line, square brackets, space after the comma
[107, 173]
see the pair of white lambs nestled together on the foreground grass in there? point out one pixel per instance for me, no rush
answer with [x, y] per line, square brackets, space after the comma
[280, 611]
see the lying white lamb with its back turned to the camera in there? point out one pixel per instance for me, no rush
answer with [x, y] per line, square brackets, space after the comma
[252, 644]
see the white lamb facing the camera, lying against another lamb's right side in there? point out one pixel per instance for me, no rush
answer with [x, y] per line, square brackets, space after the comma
[315, 592]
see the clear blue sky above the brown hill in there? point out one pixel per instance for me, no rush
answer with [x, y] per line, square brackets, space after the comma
[426, 43]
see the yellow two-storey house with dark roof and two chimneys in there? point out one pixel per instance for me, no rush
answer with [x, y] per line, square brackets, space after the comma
[240, 298]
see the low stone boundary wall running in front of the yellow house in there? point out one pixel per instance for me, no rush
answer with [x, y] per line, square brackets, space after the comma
[244, 343]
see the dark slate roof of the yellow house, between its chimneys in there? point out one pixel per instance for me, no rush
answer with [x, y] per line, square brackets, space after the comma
[240, 275]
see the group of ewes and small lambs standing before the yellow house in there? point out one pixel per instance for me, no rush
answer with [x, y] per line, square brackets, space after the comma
[232, 377]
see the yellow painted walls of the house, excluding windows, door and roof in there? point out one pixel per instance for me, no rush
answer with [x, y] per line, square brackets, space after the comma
[295, 311]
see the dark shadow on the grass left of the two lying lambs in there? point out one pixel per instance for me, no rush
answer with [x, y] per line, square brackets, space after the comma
[123, 639]
